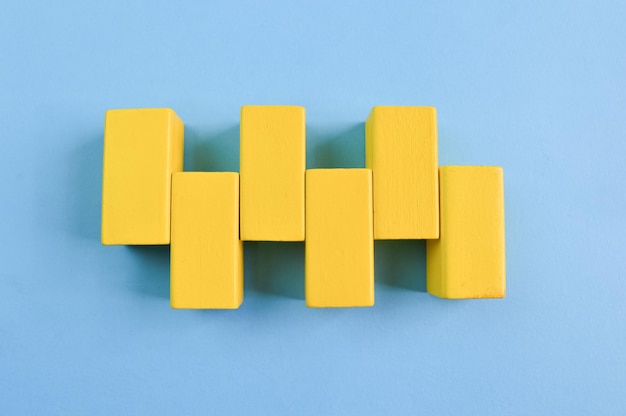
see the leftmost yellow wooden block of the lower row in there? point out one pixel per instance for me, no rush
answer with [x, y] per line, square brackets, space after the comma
[206, 253]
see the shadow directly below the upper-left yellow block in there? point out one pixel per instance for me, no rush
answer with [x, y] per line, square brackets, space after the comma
[153, 270]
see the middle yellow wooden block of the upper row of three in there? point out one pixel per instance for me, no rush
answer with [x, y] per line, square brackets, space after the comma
[272, 164]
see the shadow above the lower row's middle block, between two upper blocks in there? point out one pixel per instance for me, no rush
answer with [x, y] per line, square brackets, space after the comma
[343, 150]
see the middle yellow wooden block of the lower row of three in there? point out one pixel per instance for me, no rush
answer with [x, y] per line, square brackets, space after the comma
[339, 249]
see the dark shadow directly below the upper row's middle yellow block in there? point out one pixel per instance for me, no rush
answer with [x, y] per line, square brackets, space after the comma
[275, 268]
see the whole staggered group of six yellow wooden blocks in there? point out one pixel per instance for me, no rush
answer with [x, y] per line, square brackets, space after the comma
[206, 216]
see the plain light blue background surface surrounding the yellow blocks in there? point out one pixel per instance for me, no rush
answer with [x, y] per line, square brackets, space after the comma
[538, 87]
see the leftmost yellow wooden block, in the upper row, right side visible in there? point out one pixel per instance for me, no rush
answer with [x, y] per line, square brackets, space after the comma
[142, 147]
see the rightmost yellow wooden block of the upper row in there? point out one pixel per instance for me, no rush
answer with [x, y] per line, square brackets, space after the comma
[401, 150]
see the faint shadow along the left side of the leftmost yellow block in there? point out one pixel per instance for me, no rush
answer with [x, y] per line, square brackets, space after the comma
[85, 194]
